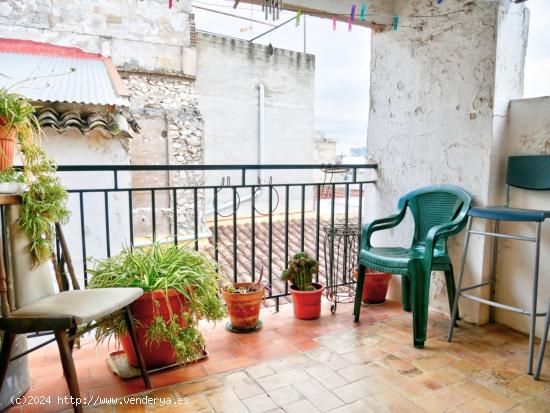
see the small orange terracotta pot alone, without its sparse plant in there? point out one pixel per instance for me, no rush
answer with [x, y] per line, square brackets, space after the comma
[244, 308]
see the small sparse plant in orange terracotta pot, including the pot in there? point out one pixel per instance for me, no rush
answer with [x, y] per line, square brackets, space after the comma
[243, 301]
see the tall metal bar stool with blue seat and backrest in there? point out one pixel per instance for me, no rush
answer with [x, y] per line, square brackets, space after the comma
[524, 172]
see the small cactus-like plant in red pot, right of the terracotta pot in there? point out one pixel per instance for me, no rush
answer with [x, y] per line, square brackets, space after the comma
[306, 294]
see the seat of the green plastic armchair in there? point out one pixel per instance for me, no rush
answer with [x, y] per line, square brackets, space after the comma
[397, 257]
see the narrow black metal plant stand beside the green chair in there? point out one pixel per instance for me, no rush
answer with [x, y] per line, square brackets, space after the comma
[341, 248]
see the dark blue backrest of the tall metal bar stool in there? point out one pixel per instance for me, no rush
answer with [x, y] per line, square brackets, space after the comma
[529, 172]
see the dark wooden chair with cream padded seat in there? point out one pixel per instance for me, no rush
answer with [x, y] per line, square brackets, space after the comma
[62, 312]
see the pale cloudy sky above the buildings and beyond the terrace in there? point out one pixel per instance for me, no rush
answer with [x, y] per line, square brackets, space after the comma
[343, 60]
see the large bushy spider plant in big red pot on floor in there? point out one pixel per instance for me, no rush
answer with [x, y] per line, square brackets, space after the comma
[181, 287]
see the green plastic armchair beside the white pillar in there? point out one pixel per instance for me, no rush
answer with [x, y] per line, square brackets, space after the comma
[439, 211]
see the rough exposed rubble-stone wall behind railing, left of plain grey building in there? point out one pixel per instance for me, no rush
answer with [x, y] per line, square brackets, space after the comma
[166, 109]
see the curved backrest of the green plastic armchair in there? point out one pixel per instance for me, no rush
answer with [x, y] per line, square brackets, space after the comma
[435, 205]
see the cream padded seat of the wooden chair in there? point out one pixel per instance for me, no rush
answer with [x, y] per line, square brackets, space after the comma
[82, 306]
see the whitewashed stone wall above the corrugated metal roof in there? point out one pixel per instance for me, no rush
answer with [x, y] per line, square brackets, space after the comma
[144, 35]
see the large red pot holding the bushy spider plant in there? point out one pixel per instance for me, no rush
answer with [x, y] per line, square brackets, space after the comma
[142, 309]
